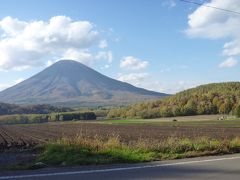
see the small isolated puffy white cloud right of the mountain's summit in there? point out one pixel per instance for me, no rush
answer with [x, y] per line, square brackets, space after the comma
[132, 63]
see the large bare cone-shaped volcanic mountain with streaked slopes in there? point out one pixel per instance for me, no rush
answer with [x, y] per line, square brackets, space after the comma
[70, 83]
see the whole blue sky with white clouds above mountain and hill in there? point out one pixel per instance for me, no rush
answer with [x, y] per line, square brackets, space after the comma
[162, 45]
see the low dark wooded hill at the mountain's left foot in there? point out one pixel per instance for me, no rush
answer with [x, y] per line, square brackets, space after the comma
[8, 109]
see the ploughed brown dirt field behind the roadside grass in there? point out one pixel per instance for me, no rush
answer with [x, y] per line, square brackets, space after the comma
[25, 136]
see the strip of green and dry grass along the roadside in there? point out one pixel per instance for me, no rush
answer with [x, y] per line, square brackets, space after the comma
[81, 150]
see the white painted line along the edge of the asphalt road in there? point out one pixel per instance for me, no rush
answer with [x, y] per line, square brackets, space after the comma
[116, 169]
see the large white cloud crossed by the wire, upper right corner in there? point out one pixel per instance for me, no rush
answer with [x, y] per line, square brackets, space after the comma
[214, 24]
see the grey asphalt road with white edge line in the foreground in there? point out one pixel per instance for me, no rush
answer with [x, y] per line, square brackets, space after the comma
[218, 167]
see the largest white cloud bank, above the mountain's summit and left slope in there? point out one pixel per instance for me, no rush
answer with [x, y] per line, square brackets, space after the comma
[25, 44]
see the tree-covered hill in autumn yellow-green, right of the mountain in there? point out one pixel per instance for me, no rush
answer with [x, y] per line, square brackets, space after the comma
[216, 98]
